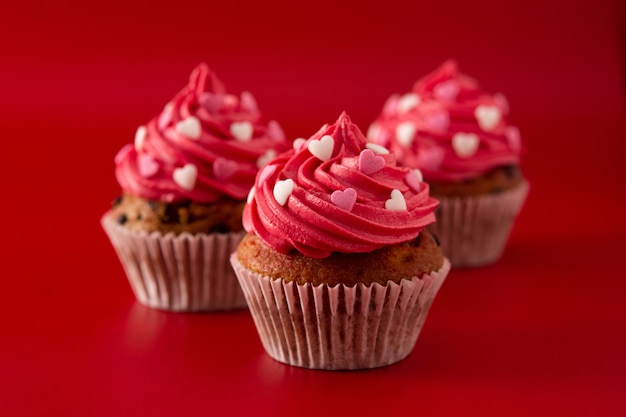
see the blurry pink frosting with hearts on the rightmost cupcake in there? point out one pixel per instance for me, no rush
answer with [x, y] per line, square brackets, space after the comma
[448, 127]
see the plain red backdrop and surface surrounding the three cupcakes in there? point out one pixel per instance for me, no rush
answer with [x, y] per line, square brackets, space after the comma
[543, 332]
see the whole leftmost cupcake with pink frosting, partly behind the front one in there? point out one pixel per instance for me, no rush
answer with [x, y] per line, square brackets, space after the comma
[184, 184]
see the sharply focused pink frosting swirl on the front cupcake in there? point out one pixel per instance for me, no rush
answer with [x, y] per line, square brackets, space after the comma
[336, 193]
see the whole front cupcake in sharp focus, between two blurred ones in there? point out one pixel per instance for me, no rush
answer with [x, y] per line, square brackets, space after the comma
[337, 267]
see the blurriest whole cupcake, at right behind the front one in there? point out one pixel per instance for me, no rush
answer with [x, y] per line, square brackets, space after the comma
[460, 140]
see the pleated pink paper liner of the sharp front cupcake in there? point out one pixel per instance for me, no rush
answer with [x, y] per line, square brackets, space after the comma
[341, 327]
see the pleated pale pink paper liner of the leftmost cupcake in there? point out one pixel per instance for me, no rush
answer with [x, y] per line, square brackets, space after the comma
[178, 273]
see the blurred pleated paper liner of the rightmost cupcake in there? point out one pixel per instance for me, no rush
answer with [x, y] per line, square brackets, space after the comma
[473, 231]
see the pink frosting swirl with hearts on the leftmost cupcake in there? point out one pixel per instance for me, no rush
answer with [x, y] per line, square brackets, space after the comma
[205, 144]
